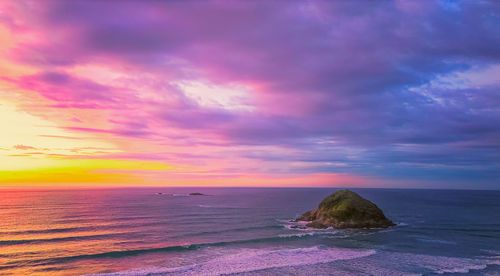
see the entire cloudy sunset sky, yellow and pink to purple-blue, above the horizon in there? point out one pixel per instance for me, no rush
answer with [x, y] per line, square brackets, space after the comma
[401, 94]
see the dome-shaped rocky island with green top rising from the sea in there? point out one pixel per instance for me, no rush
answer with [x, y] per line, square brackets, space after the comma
[346, 209]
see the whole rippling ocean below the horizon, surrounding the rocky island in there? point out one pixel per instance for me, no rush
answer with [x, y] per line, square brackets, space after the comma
[243, 231]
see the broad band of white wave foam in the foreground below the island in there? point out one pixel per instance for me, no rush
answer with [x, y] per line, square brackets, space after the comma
[257, 259]
